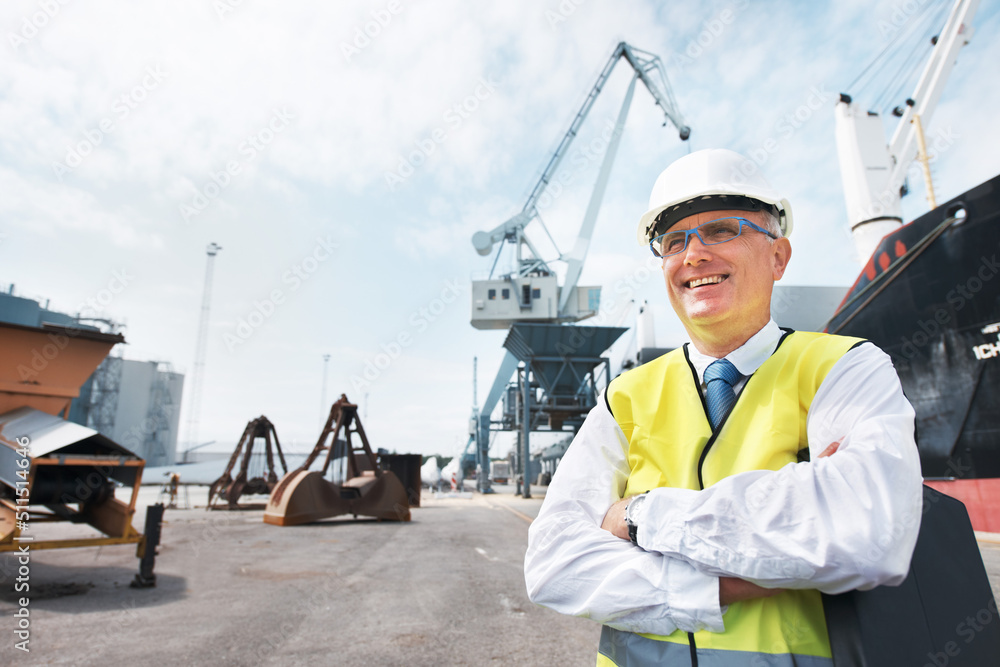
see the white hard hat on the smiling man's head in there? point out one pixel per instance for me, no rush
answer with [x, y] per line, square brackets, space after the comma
[711, 179]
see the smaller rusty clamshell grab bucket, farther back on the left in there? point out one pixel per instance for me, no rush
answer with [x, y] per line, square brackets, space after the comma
[252, 477]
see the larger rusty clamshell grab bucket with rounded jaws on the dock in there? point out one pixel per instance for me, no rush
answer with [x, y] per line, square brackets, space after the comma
[359, 487]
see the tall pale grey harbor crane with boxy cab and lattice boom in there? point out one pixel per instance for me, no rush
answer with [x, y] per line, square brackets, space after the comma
[531, 293]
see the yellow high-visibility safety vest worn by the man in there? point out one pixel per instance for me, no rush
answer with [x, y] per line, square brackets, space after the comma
[662, 414]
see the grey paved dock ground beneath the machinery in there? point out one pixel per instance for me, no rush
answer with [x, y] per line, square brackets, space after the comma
[444, 589]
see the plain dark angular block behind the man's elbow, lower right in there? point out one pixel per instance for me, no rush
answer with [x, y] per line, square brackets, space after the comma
[942, 615]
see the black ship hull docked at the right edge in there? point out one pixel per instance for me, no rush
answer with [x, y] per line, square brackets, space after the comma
[930, 297]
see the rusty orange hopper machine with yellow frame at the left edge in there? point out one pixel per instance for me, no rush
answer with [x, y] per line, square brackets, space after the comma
[52, 469]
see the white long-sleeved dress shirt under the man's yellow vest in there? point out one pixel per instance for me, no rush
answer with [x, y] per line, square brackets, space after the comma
[836, 523]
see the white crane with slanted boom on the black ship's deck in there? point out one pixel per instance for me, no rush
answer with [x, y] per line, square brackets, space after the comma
[874, 172]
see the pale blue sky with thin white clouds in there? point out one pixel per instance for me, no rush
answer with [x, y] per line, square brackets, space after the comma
[343, 154]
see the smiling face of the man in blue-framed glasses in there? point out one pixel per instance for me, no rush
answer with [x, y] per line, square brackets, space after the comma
[722, 293]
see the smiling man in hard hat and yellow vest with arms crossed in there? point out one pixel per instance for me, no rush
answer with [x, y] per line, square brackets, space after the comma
[701, 510]
